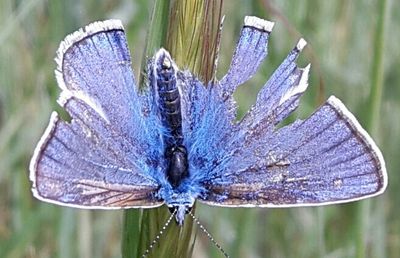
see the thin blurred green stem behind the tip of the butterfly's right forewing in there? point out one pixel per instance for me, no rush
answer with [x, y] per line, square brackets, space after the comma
[372, 120]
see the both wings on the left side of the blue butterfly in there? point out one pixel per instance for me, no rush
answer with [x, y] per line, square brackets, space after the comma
[104, 157]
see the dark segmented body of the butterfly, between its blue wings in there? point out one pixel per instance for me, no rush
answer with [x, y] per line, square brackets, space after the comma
[170, 113]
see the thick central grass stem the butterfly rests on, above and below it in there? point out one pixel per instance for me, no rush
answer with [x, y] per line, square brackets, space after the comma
[192, 30]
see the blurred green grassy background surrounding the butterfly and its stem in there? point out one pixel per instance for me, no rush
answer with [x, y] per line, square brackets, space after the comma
[342, 49]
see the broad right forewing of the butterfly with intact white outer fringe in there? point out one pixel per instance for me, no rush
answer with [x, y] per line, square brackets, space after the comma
[327, 158]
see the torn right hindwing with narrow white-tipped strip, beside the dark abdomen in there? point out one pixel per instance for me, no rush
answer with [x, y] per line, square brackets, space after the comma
[210, 112]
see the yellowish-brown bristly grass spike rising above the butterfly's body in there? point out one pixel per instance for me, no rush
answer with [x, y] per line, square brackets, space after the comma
[194, 34]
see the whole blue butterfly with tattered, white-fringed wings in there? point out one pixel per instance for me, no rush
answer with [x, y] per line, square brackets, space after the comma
[177, 140]
